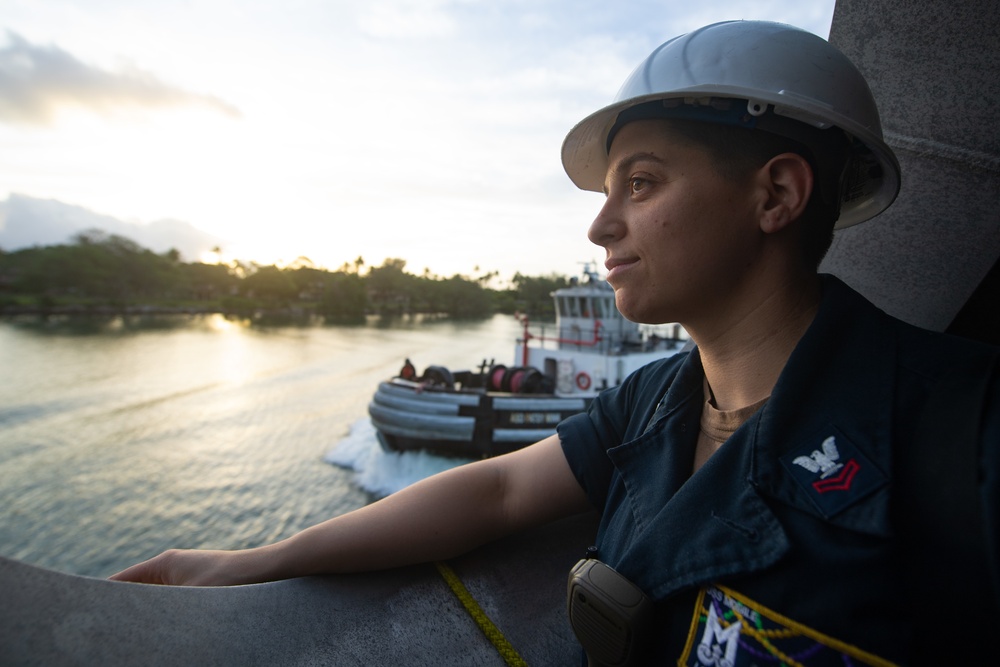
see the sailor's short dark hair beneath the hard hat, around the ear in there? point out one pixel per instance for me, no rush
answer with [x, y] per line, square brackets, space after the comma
[737, 151]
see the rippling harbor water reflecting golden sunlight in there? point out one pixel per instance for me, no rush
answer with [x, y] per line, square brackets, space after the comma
[123, 437]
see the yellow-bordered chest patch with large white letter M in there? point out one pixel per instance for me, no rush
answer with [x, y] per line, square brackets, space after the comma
[730, 630]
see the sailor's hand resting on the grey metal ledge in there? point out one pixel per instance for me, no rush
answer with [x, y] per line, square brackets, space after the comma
[178, 567]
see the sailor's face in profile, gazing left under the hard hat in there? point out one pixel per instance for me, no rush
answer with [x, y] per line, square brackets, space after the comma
[676, 233]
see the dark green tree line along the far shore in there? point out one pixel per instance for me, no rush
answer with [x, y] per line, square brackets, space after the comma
[100, 272]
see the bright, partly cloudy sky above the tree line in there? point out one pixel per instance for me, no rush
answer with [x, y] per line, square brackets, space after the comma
[427, 130]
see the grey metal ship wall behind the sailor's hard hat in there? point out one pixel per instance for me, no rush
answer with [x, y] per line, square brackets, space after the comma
[934, 67]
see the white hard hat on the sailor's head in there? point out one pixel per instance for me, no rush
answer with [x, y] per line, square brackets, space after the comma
[781, 73]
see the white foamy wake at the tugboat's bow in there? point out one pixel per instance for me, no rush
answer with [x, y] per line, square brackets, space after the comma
[381, 472]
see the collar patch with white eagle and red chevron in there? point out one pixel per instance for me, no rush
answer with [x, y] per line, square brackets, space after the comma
[833, 473]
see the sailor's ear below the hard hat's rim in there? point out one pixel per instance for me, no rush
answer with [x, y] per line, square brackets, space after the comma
[786, 183]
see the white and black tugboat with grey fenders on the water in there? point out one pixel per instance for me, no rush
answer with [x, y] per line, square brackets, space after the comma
[496, 409]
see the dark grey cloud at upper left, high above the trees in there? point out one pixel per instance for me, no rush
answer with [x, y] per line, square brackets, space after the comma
[36, 82]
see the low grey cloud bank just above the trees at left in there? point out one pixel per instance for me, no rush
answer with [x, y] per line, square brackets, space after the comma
[27, 221]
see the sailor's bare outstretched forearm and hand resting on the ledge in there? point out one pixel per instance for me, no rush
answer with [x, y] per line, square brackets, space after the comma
[436, 518]
